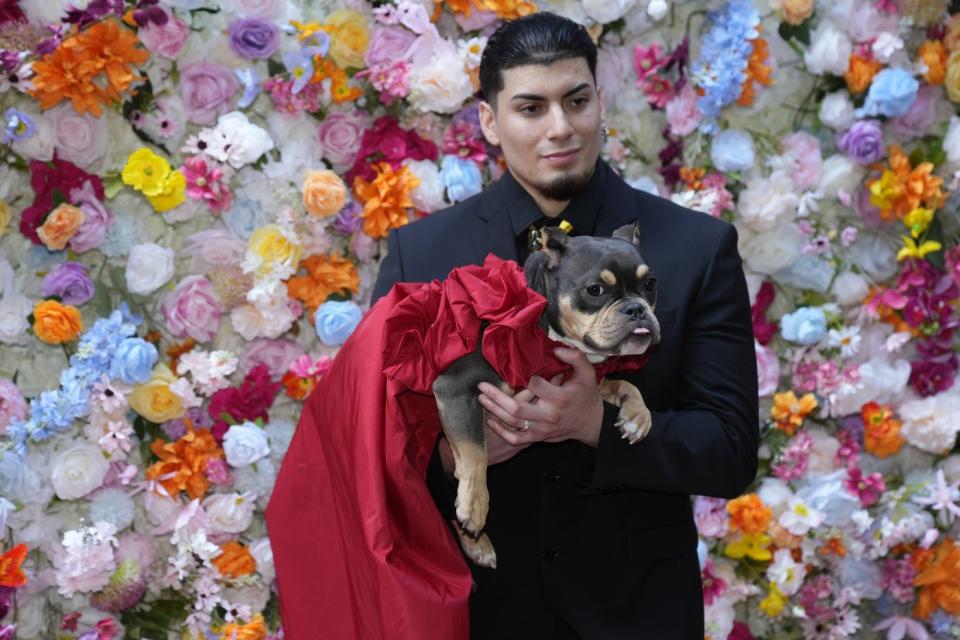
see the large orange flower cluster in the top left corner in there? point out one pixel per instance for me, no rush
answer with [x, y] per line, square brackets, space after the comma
[91, 68]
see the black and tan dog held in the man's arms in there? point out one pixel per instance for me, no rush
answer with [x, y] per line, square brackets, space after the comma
[601, 296]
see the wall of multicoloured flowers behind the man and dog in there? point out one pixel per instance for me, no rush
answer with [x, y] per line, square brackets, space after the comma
[193, 201]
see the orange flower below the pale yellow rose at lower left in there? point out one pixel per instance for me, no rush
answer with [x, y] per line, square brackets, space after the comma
[183, 463]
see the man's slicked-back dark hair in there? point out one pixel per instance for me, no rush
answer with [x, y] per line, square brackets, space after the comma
[539, 38]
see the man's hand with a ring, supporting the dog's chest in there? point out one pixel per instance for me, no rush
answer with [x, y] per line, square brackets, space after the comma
[547, 411]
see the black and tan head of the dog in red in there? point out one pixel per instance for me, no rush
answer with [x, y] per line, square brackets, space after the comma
[600, 292]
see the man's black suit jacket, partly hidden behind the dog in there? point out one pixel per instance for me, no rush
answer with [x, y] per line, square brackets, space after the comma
[604, 538]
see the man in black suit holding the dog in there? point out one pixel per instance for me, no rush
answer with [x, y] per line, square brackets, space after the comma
[595, 538]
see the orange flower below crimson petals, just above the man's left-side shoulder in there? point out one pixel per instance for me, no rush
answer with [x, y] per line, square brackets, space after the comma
[386, 199]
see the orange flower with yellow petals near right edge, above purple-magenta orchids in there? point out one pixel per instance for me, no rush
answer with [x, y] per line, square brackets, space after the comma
[902, 188]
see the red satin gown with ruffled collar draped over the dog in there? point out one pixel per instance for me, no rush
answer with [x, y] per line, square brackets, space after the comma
[358, 544]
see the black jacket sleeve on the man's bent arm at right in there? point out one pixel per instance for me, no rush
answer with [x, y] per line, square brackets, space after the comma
[708, 445]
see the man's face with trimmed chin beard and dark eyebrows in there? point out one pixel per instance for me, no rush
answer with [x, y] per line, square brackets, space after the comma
[547, 123]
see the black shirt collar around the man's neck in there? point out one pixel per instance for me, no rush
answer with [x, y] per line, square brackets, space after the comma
[581, 212]
